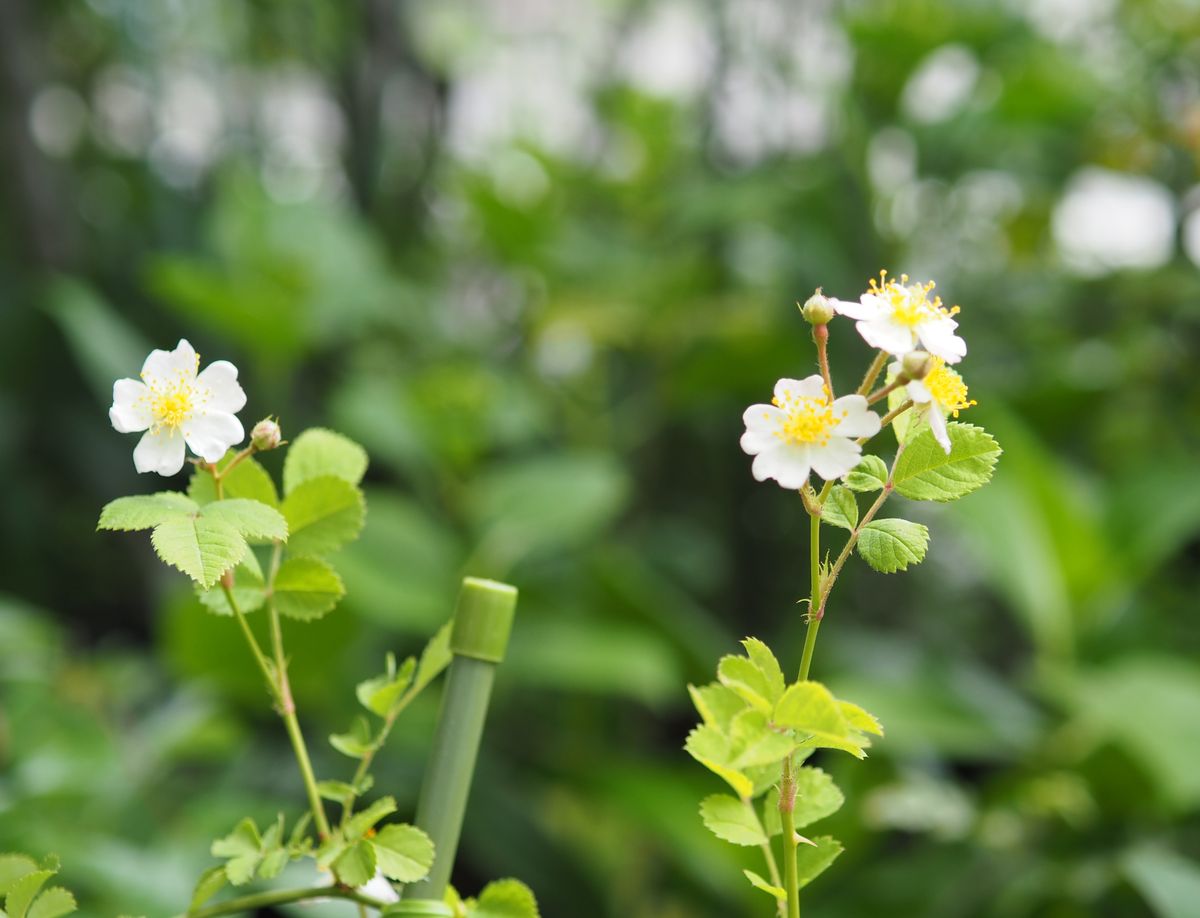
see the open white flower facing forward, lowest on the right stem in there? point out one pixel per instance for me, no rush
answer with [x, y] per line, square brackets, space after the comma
[803, 430]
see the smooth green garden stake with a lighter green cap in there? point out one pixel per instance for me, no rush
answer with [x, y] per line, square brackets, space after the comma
[478, 640]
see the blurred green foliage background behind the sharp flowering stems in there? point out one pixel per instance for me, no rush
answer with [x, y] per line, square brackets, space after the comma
[538, 257]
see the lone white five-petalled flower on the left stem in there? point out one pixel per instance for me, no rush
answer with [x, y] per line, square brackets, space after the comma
[175, 406]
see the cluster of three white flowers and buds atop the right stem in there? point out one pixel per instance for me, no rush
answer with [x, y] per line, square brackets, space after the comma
[807, 430]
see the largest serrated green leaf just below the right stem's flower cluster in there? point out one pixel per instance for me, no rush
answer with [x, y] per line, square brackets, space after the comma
[926, 472]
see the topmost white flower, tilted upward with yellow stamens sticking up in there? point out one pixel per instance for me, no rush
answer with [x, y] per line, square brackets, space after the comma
[902, 317]
